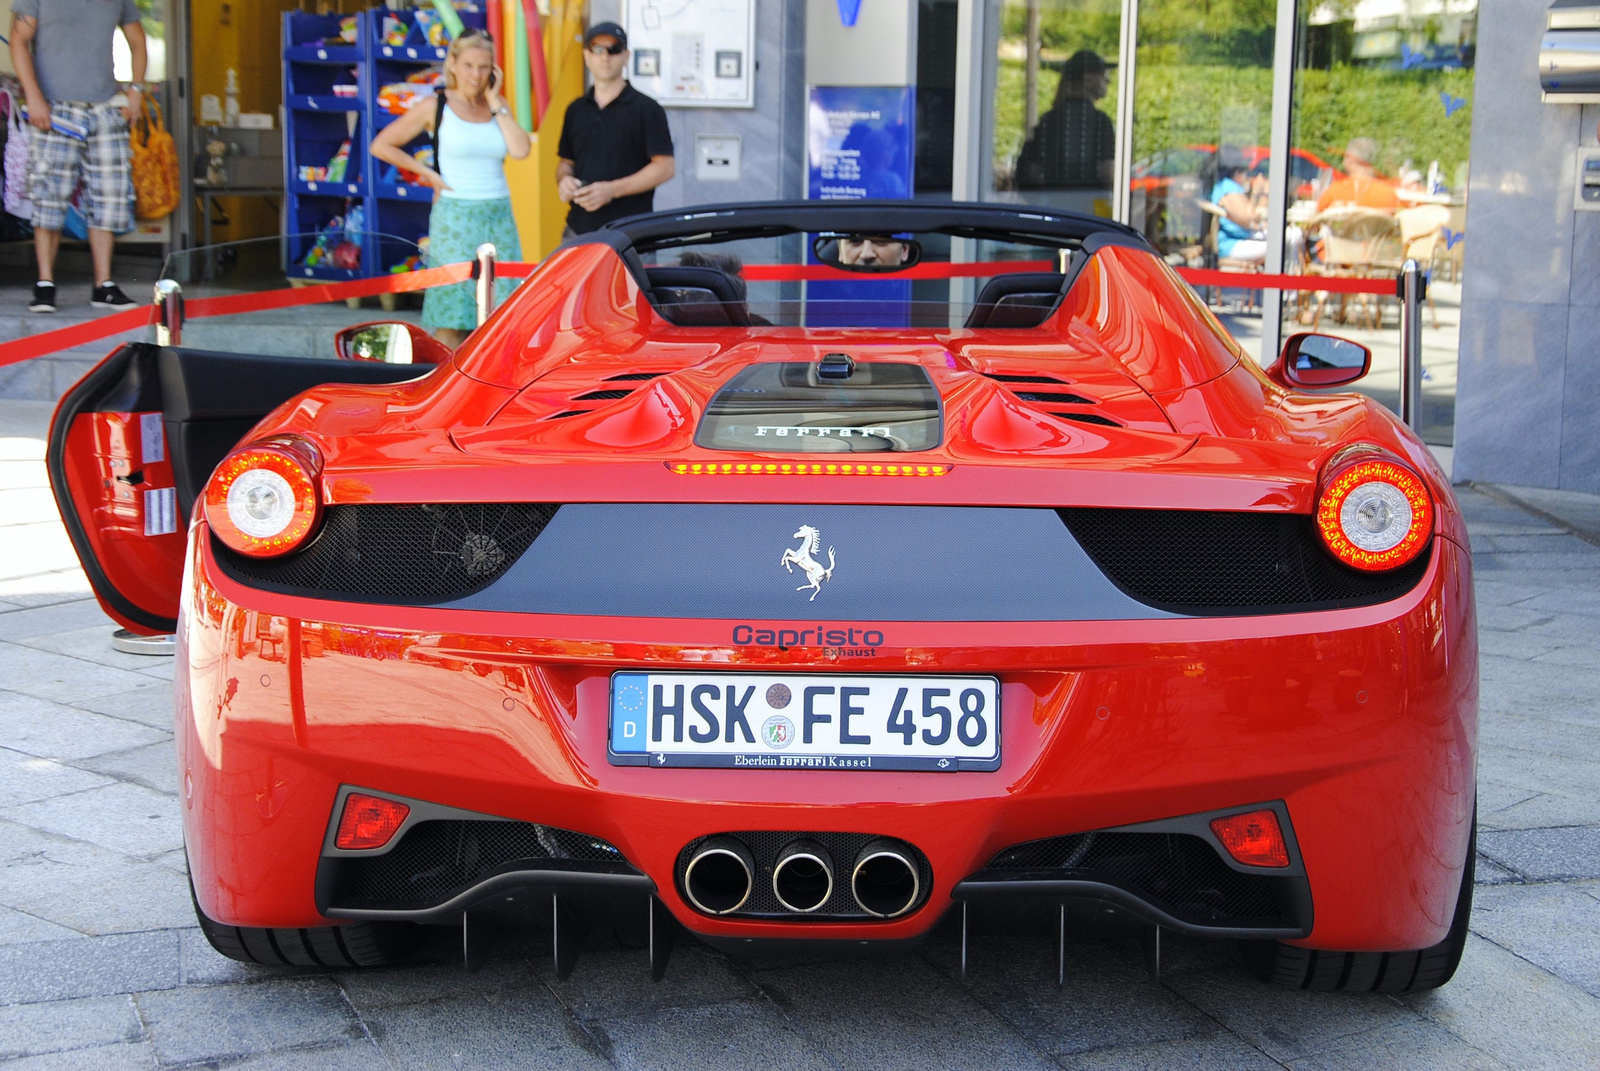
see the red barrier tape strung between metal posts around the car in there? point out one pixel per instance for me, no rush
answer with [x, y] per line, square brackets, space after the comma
[79, 334]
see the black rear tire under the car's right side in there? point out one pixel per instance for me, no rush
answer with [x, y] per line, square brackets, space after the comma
[1370, 973]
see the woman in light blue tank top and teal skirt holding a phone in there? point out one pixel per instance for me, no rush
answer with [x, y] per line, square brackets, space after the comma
[474, 134]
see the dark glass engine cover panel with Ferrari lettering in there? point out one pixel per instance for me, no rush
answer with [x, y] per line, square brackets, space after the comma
[786, 407]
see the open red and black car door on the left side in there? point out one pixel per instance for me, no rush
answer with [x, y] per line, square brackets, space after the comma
[134, 444]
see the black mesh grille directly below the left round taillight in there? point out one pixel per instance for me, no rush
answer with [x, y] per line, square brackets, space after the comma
[404, 555]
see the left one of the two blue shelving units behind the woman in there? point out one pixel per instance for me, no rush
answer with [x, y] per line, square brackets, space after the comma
[318, 124]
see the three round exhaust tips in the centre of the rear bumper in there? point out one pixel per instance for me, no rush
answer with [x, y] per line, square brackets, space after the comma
[884, 880]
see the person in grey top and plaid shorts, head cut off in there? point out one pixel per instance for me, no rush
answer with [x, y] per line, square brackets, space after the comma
[62, 52]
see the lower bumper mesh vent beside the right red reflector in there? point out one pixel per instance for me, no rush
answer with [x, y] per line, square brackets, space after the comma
[1180, 873]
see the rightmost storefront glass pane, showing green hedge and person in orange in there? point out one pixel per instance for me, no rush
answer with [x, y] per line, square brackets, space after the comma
[1383, 92]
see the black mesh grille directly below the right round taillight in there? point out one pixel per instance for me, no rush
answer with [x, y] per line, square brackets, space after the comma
[1204, 563]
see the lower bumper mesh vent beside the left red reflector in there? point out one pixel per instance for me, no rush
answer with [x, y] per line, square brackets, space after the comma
[439, 859]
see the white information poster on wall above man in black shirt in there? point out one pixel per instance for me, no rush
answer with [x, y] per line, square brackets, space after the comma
[694, 54]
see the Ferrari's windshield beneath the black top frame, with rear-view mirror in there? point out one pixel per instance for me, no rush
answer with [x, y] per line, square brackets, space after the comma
[846, 279]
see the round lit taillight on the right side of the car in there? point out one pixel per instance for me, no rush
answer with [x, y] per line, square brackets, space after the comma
[1374, 513]
